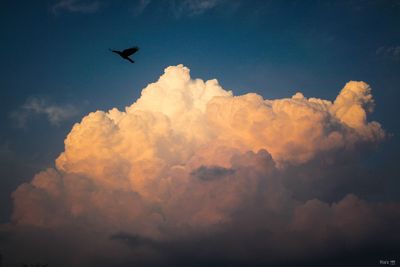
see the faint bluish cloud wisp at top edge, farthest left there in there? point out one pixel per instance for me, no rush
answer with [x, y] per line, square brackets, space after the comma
[75, 6]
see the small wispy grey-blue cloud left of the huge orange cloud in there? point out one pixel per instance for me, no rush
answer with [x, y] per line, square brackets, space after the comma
[55, 114]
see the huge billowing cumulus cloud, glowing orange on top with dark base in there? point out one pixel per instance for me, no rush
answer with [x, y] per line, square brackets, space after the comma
[190, 172]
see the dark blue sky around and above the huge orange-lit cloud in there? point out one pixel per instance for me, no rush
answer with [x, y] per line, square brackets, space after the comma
[57, 52]
